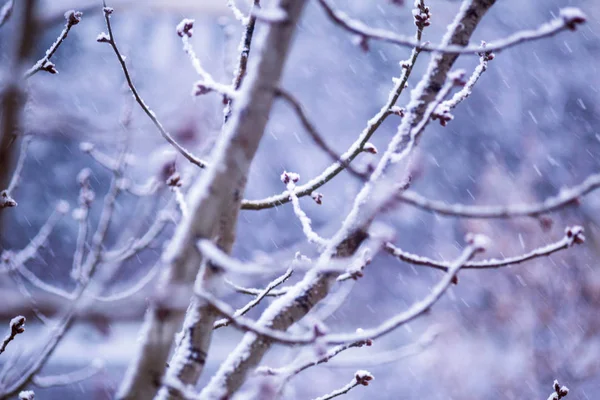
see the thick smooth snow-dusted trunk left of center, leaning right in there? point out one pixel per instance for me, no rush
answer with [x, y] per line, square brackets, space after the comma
[213, 202]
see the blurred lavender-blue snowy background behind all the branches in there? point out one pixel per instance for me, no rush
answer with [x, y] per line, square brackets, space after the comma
[529, 129]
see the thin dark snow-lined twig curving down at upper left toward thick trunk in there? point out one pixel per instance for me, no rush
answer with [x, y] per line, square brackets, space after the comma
[104, 38]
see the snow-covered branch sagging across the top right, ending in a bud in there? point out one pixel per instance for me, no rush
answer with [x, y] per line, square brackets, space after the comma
[569, 19]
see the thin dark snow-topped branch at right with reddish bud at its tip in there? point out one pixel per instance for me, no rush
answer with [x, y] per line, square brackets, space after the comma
[573, 235]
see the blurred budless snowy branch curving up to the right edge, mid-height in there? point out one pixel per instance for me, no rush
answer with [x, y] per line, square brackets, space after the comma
[565, 197]
